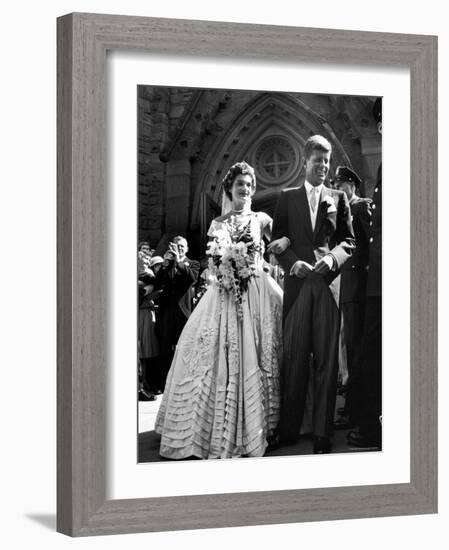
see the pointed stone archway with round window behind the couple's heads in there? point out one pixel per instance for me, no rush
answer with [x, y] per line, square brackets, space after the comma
[269, 132]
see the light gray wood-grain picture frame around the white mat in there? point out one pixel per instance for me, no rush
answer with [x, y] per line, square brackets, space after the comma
[83, 40]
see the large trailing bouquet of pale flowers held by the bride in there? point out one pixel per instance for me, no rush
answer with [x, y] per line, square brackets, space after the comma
[231, 259]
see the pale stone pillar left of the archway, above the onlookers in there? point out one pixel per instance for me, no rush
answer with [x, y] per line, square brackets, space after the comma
[177, 196]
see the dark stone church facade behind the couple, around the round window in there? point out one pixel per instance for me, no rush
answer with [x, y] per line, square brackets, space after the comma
[189, 137]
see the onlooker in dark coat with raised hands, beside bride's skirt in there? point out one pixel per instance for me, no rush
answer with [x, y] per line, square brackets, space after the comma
[176, 279]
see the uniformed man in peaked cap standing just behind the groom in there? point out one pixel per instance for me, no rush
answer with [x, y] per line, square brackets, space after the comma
[353, 290]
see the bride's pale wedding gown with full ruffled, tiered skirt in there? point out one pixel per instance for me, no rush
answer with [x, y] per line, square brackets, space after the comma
[222, 396]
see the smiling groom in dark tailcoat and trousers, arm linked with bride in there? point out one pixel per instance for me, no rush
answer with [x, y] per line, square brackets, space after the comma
[317, 221]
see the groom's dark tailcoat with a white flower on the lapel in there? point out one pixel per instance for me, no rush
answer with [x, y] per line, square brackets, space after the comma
[333, 234]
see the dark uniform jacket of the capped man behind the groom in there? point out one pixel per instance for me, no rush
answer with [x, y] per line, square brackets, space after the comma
[354, 272]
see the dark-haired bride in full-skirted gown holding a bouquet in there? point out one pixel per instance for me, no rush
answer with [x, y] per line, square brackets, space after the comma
[222, 395]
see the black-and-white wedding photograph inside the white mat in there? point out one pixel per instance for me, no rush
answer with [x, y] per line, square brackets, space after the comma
[259, 257]
